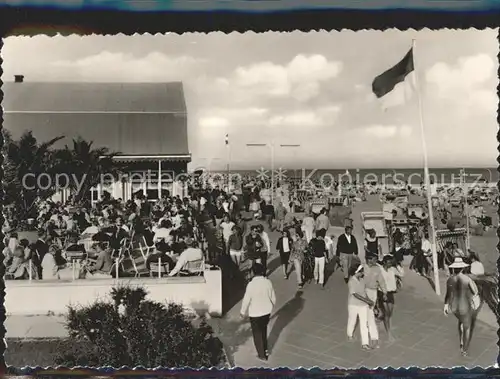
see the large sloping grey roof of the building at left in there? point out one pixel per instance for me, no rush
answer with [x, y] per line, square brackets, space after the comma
[128, 118]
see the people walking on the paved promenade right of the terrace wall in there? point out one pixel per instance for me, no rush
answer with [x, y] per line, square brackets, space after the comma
[373, 284]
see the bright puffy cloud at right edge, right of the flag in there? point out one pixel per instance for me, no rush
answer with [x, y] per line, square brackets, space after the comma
[470, 83]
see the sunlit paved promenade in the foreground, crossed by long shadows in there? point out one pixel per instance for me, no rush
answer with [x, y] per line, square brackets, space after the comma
[308, 328]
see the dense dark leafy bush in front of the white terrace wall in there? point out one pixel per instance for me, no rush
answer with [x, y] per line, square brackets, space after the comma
[133, 331]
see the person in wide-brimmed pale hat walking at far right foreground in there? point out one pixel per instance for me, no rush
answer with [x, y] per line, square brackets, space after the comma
[462, 299]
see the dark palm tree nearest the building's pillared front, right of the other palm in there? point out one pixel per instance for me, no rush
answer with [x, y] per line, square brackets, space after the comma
[85, 166]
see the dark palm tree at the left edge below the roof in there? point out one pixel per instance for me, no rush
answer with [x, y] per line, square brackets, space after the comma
[29, 169]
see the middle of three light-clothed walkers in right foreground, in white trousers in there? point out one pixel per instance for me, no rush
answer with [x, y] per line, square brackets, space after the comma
[374, 282]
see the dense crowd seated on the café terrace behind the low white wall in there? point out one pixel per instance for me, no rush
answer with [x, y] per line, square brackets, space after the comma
[174, 230]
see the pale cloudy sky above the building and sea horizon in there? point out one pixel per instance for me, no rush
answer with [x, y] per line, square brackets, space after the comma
[307, 89]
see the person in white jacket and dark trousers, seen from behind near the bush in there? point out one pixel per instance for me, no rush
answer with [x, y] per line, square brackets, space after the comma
[258, 303]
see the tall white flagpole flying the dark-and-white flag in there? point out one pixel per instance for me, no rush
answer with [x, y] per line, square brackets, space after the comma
[437, 285]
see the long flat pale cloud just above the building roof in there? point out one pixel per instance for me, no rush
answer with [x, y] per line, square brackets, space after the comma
[110, 66]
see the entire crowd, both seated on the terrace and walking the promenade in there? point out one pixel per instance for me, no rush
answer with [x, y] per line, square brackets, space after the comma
[210, 224]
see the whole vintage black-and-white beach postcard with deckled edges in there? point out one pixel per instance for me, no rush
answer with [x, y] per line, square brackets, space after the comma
[297, 199]
